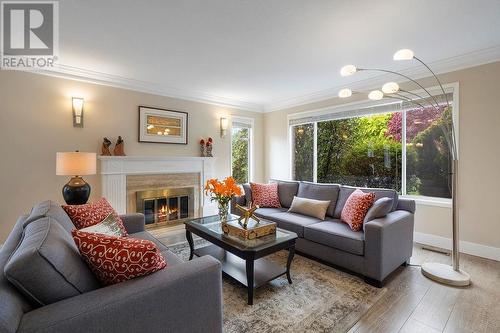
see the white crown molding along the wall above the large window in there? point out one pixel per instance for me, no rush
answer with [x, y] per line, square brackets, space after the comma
[467, 60]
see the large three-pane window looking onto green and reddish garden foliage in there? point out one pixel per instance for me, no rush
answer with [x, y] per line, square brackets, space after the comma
[405, 149]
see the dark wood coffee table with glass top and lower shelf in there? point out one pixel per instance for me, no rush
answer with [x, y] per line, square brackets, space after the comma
[242, 260]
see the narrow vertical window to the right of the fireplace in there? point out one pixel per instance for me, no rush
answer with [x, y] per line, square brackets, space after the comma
[241, 134]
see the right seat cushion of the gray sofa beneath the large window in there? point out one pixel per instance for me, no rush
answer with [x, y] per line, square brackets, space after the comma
[336, 234]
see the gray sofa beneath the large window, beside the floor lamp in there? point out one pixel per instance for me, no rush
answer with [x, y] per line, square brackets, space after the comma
[383, 245]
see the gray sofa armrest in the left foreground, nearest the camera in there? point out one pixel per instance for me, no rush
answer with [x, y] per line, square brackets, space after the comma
[181, 298]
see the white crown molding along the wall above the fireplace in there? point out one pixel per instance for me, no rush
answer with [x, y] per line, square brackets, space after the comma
[95, 77]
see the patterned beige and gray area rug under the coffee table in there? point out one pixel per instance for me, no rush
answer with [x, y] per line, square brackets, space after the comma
[321, 299]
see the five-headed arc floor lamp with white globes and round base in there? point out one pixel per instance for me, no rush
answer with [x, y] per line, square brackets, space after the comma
[451, 275]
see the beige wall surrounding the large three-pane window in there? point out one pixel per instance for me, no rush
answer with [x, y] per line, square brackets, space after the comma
[479, 136]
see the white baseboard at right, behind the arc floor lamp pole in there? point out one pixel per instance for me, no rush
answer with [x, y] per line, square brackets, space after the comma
[474, 249]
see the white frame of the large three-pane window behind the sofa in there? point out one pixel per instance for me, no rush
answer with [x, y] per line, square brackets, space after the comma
[353, 106]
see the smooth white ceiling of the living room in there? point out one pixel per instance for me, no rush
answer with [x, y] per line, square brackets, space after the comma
[264, 54]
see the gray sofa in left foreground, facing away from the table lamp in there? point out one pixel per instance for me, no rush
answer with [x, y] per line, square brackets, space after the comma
[183, 297]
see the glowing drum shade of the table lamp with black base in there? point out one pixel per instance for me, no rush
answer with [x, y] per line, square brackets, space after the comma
[75, 164]
